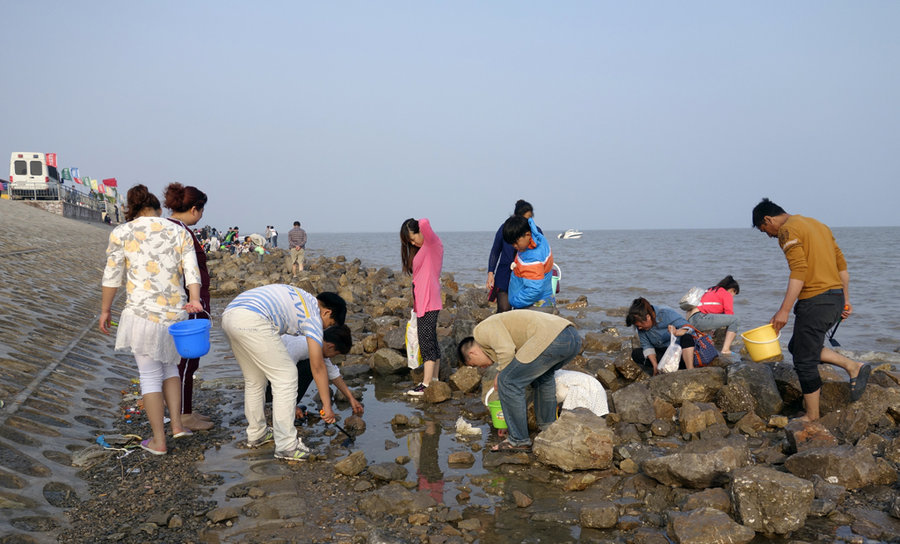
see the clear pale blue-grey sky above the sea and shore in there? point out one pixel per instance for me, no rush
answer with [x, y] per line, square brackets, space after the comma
[353, 116]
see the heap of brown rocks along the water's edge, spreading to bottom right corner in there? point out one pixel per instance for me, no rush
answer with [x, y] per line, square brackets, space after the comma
[702, 456]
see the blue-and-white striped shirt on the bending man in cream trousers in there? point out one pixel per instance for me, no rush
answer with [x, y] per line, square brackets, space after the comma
[292, 311]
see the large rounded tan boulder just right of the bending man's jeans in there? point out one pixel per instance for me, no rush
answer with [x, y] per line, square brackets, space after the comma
[578, 440]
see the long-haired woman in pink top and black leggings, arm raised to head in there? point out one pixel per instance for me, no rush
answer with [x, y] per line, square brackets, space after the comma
[422, 254]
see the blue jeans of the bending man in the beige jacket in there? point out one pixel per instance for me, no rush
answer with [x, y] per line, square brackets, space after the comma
[539, 375]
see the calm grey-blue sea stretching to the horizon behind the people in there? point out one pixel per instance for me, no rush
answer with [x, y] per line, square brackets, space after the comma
[612, 267]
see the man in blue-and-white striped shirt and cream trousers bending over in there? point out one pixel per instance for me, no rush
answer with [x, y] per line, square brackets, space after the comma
[254, 322]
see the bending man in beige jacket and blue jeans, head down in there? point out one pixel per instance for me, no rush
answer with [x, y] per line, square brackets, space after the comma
[528, 347]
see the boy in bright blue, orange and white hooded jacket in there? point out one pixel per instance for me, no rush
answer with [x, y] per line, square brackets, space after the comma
[530, 283]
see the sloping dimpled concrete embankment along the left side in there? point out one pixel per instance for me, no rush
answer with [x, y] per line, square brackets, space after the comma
[54, 395]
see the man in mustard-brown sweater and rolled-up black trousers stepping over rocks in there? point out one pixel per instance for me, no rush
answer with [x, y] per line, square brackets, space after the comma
[818, 291]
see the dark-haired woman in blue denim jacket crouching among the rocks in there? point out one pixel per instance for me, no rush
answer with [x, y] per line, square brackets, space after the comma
[655, 324]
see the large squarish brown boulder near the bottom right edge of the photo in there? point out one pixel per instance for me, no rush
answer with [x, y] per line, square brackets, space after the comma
[770, 501]
